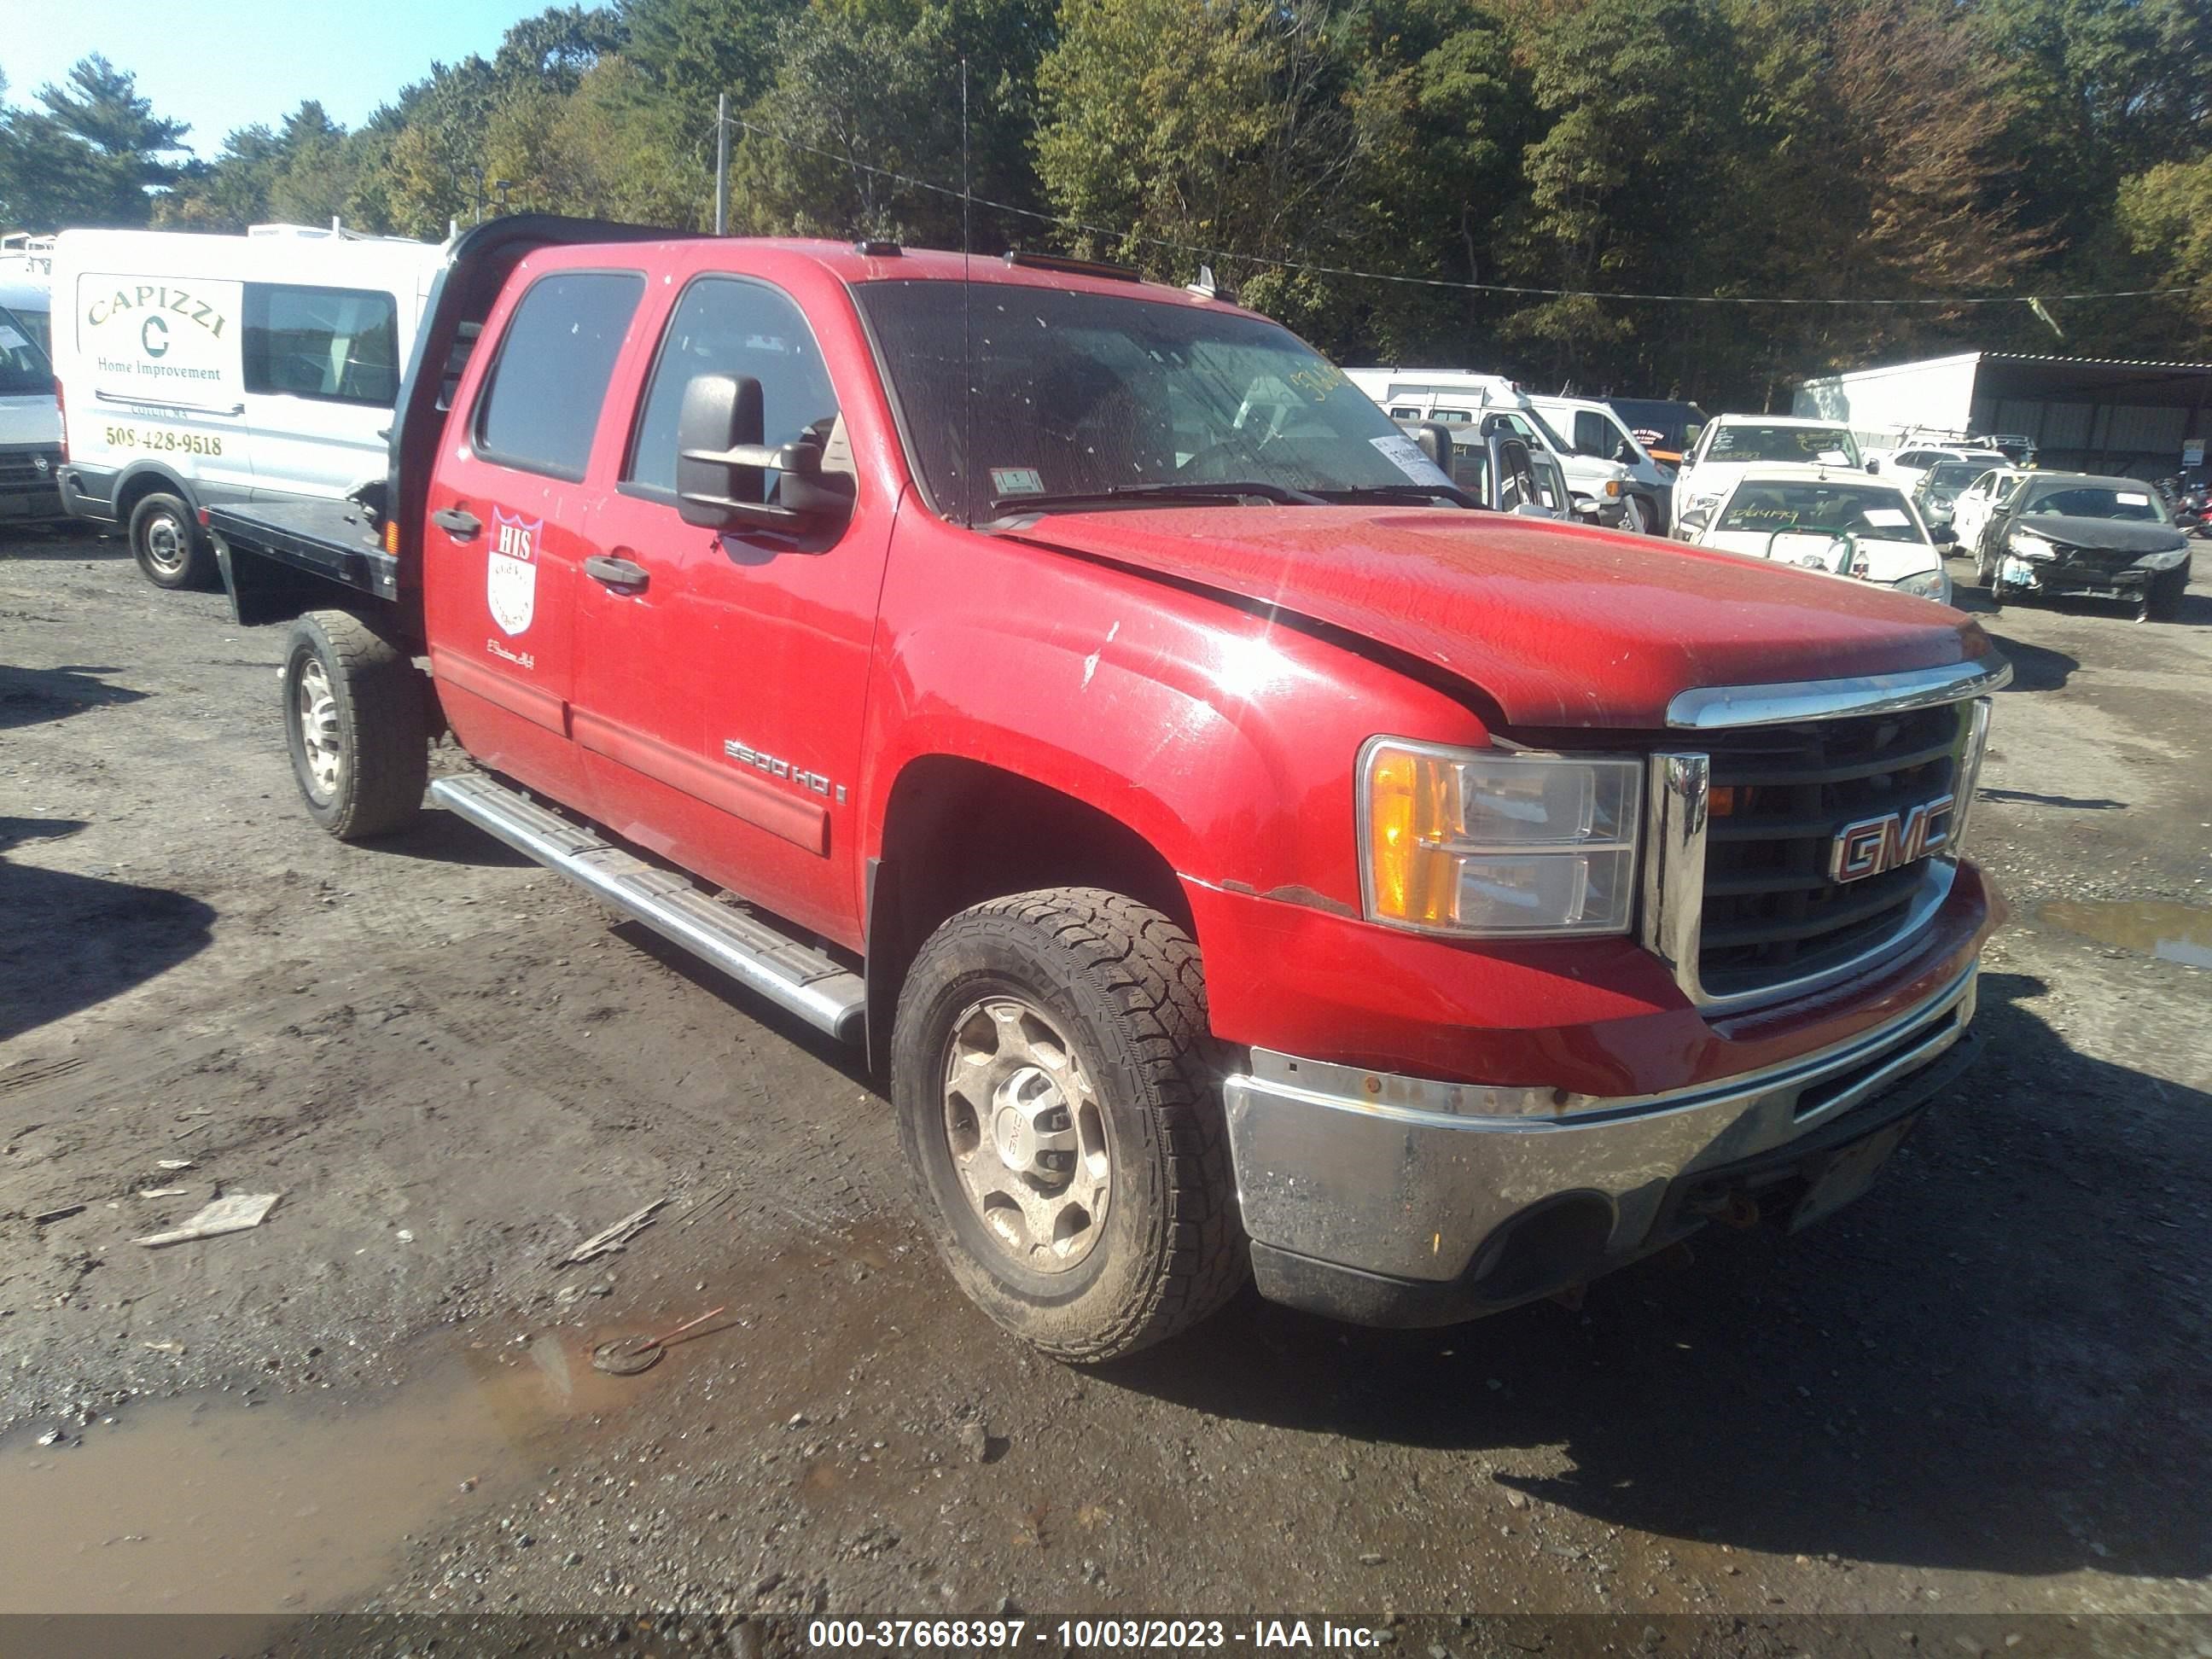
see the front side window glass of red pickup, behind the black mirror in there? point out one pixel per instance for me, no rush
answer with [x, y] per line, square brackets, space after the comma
[731, 326]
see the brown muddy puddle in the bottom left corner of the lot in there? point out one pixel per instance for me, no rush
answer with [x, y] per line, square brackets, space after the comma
[300, 1505]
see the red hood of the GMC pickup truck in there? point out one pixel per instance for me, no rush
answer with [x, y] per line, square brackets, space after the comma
[1556, 625]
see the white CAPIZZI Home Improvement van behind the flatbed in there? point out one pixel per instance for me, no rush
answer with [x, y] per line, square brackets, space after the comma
[198, 371]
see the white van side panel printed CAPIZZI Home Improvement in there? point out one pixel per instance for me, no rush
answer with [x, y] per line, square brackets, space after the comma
[158, 379]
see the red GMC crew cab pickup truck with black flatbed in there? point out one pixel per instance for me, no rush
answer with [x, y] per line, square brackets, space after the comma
[1240, 853]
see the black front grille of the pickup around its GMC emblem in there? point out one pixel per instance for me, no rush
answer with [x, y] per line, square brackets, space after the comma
[1780, 797]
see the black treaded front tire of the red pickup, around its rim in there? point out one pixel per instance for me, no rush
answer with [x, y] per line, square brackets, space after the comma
[1127, 985]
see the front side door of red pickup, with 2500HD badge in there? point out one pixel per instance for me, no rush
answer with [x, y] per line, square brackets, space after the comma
[722, 676]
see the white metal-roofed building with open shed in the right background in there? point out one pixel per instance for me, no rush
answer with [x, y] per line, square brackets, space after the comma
[2085, 415]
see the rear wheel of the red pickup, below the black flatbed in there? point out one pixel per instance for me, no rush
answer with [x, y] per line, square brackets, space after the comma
[357, 727]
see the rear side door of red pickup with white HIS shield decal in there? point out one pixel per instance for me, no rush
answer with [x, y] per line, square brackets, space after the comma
[508, 519]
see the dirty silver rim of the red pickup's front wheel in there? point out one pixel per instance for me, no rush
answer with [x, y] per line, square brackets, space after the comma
[1027, 1134]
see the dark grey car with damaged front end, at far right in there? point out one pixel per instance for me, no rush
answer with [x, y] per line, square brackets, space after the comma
[2094, 536]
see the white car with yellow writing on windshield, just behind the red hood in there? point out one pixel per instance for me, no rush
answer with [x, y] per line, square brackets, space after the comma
[1826, 519]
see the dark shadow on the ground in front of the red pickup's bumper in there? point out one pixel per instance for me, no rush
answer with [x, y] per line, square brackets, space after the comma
[1996, 1361]
